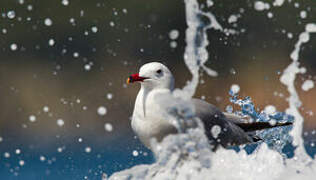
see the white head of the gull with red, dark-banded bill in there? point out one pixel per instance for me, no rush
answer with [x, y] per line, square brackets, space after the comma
[153, 75]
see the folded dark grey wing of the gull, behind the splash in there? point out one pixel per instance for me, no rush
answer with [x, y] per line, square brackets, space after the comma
[230, 133]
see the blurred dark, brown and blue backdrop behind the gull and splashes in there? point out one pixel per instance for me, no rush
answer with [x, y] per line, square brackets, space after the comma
[65, 108]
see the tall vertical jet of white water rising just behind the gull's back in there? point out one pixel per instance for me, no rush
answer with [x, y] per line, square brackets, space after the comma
[196, 55]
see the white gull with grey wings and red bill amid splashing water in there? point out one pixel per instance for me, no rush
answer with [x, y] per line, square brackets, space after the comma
[148, 121]
